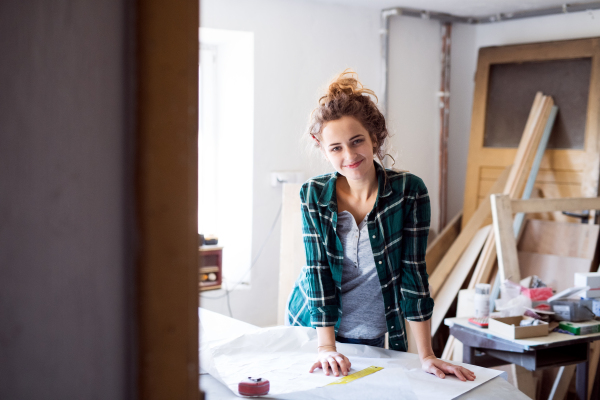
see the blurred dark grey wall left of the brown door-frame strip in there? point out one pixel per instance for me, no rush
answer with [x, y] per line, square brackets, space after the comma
[65, 190]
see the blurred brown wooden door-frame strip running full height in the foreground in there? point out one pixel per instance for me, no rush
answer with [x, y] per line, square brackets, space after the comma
[167, 202]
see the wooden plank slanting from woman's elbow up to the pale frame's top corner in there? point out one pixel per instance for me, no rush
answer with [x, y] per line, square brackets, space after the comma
[439, 276]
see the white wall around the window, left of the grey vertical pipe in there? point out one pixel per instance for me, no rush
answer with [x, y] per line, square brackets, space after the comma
[299, 47]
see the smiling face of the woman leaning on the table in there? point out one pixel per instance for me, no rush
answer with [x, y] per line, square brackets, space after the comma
[348, 147]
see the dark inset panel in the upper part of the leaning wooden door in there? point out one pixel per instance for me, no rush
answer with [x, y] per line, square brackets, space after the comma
[513, 85]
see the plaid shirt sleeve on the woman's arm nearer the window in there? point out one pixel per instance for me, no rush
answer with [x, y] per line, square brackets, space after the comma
[323, 304]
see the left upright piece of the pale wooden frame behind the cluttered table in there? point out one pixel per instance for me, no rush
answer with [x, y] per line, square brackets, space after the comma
[506, 246]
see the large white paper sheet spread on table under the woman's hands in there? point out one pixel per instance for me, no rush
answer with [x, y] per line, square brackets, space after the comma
[283, 355]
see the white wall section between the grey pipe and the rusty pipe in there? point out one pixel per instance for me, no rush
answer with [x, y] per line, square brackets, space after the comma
[413, 113]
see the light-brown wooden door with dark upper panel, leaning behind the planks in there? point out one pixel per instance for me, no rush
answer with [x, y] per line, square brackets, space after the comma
[565, 172]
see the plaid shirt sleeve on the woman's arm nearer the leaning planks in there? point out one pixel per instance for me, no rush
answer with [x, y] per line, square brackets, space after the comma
[417, 303]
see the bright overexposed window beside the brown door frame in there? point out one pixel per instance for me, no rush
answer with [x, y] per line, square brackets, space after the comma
[226, 131]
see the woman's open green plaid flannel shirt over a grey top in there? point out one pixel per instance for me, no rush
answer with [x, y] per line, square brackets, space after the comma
[398, 228]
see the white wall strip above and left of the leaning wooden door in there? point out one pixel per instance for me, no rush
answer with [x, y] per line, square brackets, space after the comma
[466, 42]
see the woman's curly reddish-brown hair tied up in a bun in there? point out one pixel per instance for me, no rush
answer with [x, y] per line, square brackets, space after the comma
[346, 96]
